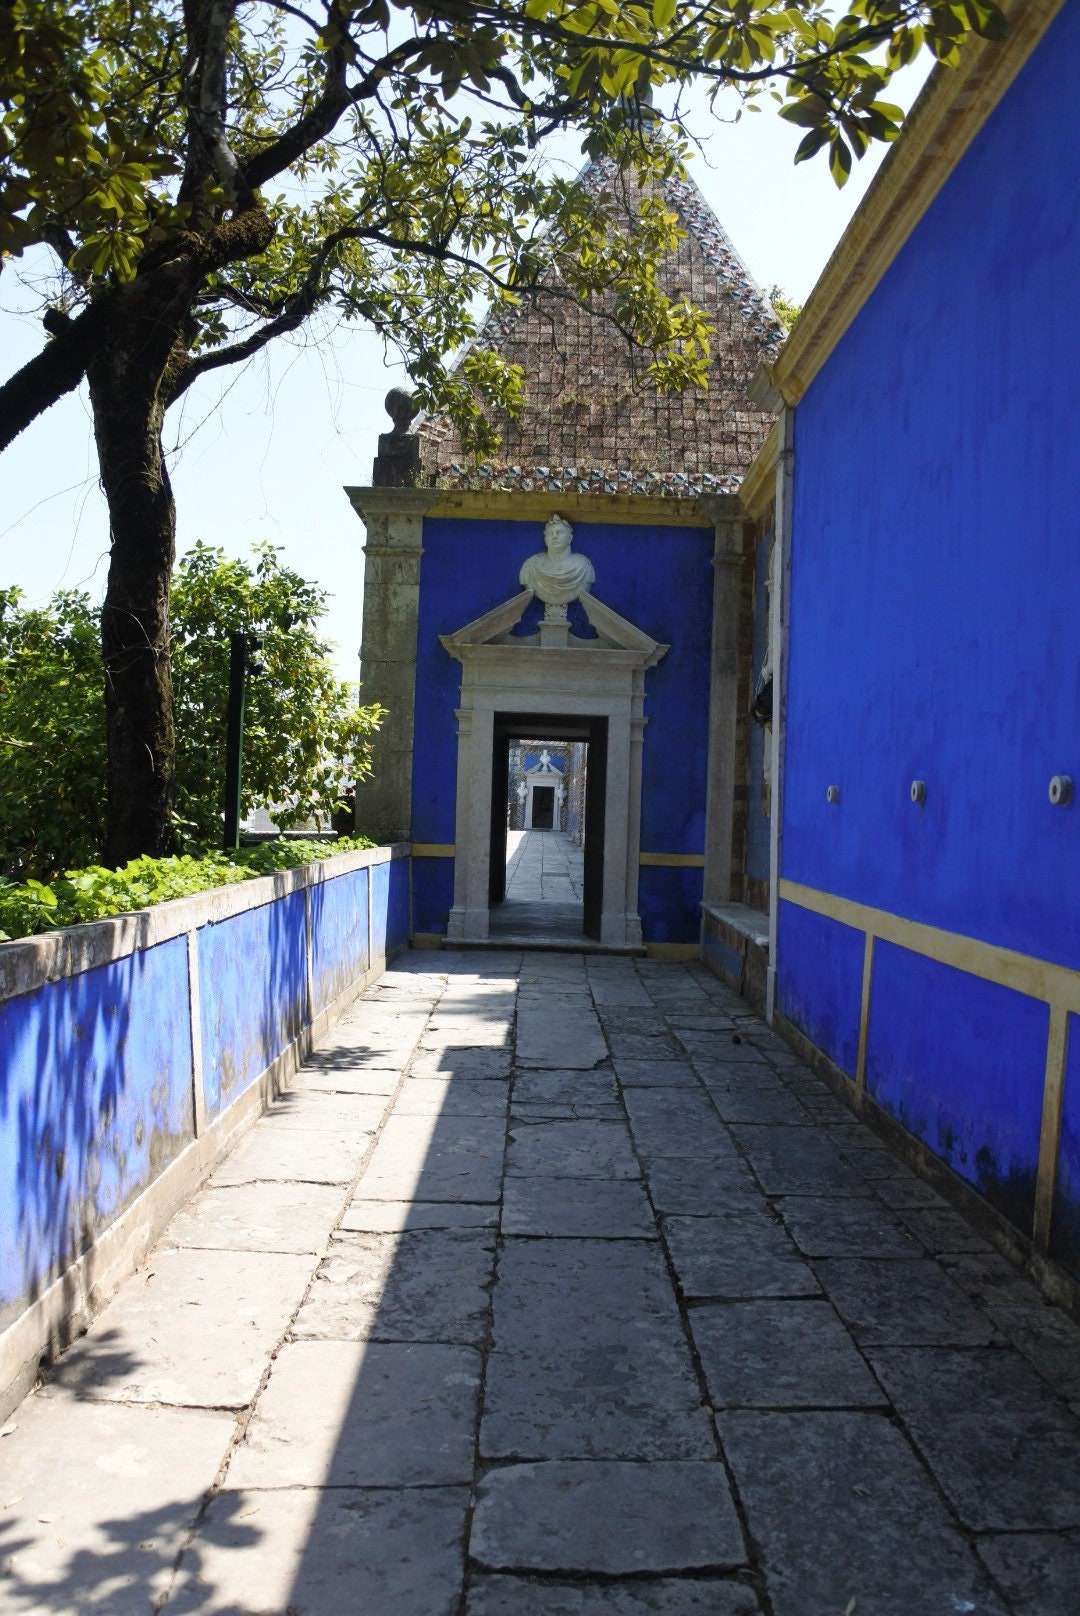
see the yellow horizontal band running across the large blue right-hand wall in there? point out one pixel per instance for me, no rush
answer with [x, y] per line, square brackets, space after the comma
[1057, 985]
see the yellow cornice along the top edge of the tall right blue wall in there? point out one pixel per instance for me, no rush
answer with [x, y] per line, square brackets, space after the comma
[943, 124]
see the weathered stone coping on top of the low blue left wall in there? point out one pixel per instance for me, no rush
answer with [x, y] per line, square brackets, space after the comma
[30, 964]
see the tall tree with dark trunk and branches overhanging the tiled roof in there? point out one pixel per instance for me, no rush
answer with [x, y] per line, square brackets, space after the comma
[208, 174]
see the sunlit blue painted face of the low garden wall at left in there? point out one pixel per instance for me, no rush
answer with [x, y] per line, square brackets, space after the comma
[96, 1071]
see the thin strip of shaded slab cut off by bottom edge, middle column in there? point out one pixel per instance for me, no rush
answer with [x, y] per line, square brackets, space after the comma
[500, 1596]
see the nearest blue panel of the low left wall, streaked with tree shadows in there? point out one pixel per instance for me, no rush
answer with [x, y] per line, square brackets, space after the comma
[95, 1101]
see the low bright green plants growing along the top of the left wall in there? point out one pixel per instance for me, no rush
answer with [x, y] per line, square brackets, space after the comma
[96, 893]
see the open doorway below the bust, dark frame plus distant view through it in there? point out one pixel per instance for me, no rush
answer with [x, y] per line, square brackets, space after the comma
[549, 788]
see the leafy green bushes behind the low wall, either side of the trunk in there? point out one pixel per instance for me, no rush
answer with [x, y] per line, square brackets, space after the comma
[305, 743]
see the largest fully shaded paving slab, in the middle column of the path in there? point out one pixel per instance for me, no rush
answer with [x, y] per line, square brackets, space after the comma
[589, 1358]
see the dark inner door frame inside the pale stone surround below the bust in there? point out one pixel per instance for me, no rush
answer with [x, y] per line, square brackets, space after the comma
[552, 726]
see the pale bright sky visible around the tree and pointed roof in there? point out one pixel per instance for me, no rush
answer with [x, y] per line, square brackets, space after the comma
[263, 452]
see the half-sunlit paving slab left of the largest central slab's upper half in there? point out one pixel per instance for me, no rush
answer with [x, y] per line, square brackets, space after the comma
[428, 1286]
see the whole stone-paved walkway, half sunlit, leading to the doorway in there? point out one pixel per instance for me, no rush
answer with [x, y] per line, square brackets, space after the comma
[557, 1287]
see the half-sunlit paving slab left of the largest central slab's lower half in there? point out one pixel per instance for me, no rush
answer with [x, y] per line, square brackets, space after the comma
[355, 1415]
